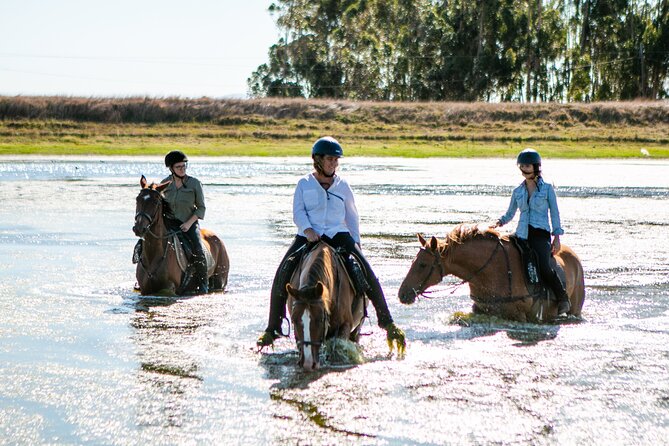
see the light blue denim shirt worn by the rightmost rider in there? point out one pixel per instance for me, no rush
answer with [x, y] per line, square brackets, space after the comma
[534, 212]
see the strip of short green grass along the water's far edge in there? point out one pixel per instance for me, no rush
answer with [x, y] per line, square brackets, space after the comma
[407, 149]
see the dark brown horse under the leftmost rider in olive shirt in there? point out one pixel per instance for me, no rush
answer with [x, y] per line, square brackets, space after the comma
[158, 269]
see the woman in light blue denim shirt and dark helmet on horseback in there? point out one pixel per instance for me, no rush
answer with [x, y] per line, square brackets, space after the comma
[536, 200]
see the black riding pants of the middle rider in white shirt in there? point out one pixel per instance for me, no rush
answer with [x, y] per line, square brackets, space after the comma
[341, 240]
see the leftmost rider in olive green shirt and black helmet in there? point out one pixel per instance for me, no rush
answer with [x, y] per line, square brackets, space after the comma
[186, 207]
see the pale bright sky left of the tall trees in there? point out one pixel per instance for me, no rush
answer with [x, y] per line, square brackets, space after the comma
[156, 48]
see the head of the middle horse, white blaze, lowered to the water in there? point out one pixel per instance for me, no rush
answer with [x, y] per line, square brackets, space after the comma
[310, 317]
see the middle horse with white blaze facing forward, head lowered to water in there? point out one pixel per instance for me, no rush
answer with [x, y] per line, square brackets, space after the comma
[322, 303]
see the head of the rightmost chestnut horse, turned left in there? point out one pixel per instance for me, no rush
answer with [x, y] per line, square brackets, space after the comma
[426, 270]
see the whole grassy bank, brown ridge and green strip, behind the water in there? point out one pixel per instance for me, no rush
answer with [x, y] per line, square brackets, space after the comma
[138, 126]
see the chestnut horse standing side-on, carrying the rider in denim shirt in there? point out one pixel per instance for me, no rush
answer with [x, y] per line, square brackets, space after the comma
[493, 268]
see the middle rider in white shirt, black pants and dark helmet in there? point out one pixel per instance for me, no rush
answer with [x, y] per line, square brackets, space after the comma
[324, 208]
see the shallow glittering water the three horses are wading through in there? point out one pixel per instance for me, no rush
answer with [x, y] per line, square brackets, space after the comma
[86, 360]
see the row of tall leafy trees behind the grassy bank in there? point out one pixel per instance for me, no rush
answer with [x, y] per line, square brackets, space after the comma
[468, 50]
